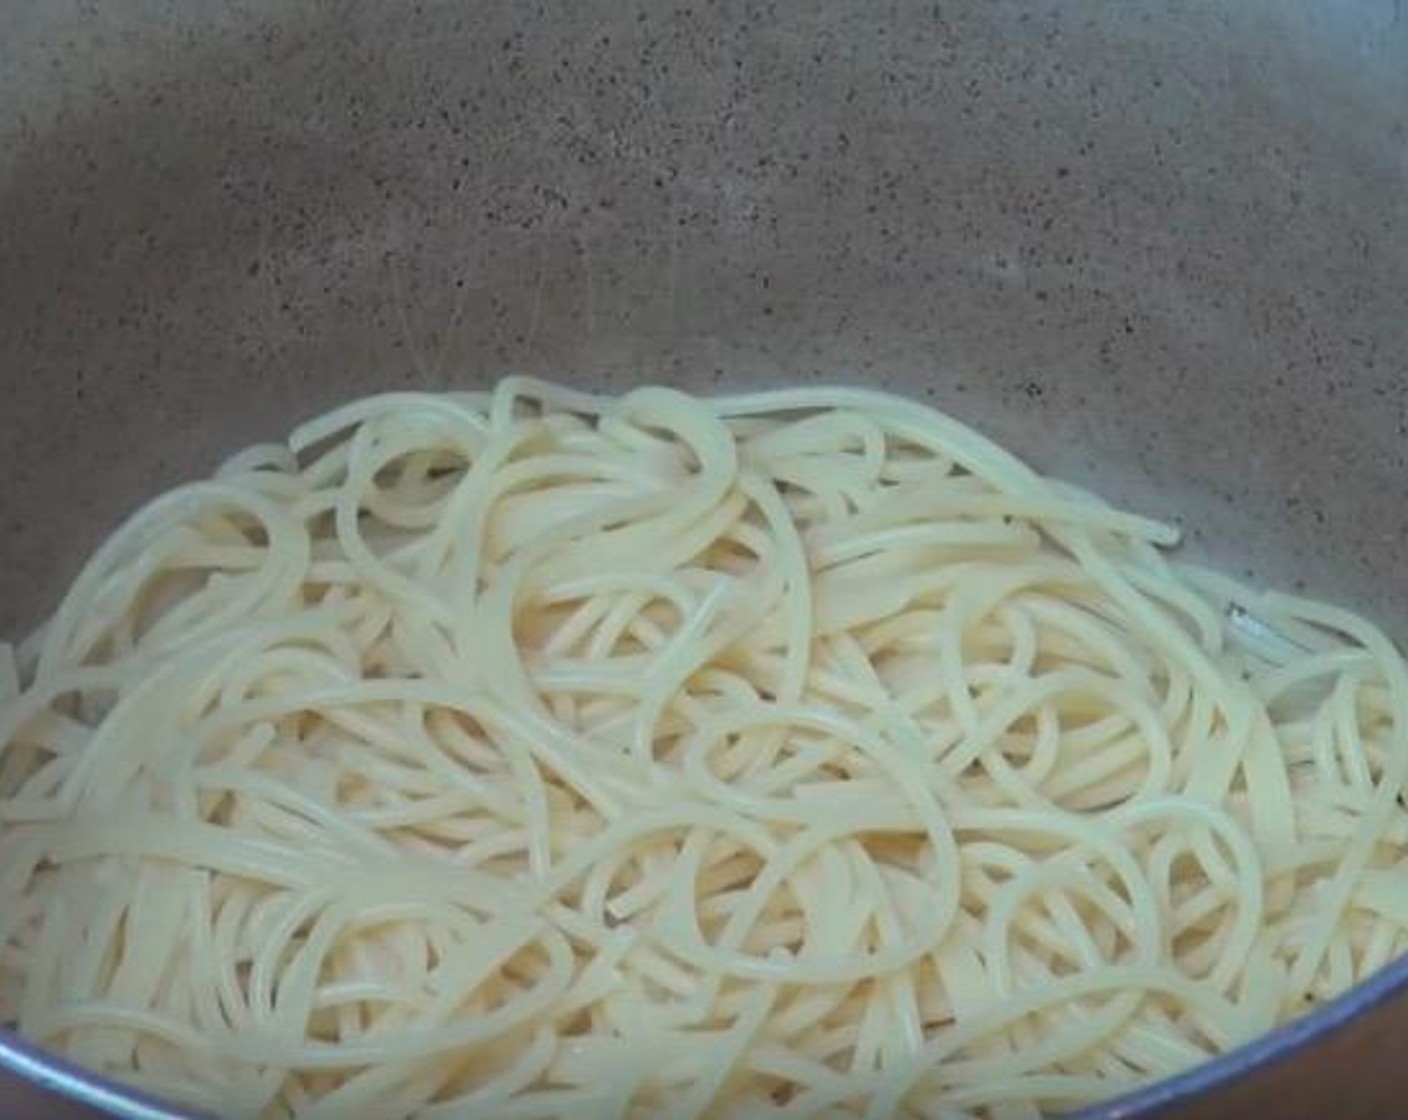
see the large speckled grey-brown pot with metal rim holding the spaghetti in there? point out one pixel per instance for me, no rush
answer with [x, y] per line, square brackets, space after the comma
[1159, 249]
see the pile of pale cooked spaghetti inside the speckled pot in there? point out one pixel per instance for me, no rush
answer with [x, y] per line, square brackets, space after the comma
[541, 754]
